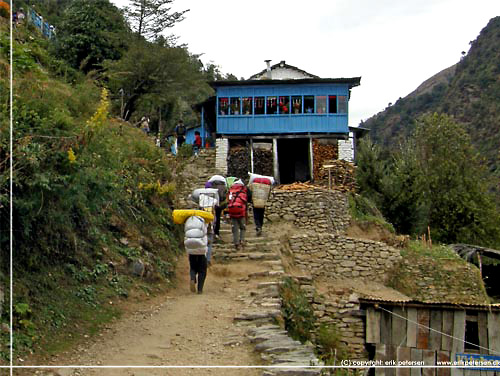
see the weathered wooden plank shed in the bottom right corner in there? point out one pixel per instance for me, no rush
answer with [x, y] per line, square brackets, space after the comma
[422, 335]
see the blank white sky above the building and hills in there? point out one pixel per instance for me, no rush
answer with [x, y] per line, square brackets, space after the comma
[394, 45]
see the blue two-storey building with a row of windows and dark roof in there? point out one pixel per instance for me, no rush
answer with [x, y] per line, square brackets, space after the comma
[283, 110]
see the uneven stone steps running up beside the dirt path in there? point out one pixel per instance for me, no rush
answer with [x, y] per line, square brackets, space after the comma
[263, 304]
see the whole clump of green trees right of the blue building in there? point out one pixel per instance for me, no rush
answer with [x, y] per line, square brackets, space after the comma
[434, 180]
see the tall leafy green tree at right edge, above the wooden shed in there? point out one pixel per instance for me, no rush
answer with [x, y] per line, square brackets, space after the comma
[454, 184]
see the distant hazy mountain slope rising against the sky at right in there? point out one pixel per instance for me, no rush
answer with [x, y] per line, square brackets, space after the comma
[469, 91]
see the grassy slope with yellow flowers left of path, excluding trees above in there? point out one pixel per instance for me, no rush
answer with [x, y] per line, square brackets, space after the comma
[83, 183]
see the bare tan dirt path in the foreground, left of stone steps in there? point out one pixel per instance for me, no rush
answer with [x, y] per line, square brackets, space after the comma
[179, 329]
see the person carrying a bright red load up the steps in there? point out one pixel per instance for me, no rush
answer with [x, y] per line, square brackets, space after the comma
[238, 198]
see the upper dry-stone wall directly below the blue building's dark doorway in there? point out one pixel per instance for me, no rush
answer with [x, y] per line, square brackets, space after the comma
[317, 210]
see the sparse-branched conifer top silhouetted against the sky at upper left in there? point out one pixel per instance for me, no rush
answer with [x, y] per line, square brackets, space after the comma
[149, 18]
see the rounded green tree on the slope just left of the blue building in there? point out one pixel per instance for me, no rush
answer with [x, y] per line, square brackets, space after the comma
[152, 76]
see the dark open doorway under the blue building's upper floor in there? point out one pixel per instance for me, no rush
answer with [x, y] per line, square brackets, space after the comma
[293, 160]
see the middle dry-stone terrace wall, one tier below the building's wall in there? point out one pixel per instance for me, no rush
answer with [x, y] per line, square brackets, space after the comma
[335, 256]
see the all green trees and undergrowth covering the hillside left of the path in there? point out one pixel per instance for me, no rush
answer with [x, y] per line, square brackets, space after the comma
[92, 194]
